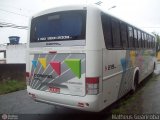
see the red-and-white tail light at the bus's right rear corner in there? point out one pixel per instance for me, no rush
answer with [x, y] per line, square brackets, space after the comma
[92, 85]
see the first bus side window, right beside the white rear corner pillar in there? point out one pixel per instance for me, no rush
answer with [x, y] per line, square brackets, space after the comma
[107, 30]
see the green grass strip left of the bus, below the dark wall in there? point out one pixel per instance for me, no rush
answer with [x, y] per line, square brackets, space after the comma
[11, 86]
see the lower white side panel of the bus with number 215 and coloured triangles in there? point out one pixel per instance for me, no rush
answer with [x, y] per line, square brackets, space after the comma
[118, 71]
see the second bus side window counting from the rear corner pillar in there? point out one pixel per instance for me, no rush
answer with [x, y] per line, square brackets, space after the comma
[116, 33]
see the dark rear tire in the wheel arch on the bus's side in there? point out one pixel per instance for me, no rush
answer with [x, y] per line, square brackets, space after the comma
[135, 82]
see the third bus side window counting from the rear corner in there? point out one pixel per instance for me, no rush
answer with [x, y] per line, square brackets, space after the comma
[123, 35]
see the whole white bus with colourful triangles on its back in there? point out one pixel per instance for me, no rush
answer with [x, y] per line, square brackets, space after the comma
[83, 58]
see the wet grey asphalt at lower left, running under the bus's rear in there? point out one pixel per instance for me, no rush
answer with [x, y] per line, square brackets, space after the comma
[21, 105]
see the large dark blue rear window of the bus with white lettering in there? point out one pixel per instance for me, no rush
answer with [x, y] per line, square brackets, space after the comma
[59, 26]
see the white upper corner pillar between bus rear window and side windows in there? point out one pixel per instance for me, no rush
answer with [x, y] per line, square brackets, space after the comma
[94, 33]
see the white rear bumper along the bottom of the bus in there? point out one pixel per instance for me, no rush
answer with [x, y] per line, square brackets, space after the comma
[85, 103]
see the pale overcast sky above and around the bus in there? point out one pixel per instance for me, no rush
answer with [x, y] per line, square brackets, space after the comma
[142, 13]
